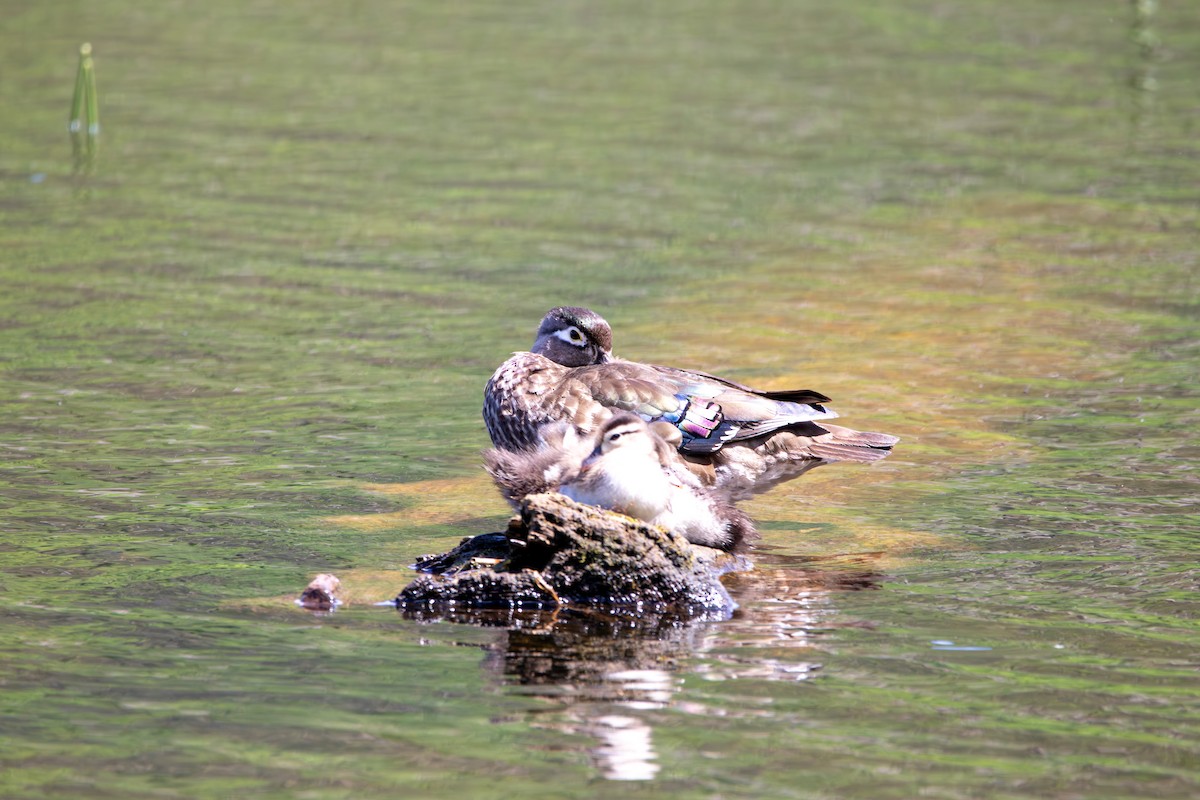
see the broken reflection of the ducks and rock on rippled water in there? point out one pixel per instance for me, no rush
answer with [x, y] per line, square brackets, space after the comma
[603, 671]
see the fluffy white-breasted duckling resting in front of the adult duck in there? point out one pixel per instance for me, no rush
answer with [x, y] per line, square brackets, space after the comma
[626, 467]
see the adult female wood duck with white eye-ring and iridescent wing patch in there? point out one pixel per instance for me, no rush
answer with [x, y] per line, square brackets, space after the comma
[740, 440]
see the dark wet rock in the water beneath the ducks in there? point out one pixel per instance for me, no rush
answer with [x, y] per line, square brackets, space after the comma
[560, 554]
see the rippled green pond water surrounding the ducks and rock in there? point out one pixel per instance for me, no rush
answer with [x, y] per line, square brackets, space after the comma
[248, 344]
